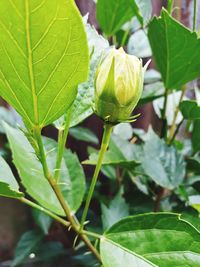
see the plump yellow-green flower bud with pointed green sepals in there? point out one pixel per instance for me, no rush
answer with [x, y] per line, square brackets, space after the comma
[118, 86]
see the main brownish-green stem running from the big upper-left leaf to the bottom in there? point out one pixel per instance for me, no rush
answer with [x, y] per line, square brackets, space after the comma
[72, 219]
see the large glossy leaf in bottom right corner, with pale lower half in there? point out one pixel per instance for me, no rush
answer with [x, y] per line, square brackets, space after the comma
[154, 239]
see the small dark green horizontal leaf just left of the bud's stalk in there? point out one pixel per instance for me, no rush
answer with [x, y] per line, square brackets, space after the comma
[84, 134]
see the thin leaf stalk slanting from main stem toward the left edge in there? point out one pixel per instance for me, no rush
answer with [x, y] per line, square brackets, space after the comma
[52, 215]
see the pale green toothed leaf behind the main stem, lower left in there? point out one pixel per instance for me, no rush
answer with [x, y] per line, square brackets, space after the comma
[72, 182]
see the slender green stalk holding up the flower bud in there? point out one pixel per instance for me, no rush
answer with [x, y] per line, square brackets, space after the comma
[104, 145]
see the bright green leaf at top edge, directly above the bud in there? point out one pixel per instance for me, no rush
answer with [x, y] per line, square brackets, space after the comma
[117, 13]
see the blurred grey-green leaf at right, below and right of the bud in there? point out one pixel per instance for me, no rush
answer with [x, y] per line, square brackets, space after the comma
[163, 164]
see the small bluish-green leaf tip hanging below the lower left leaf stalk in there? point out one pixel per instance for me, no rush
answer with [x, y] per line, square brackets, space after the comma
[42, 220]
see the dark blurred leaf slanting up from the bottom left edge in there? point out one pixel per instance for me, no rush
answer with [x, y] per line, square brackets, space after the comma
[28, 242]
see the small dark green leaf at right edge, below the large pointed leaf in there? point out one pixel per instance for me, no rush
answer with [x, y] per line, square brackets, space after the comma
[190, 110]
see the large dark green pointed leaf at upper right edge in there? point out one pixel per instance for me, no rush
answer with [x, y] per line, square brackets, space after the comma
[176, 50]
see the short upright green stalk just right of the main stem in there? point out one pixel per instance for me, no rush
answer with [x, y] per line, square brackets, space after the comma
[62, 137]
